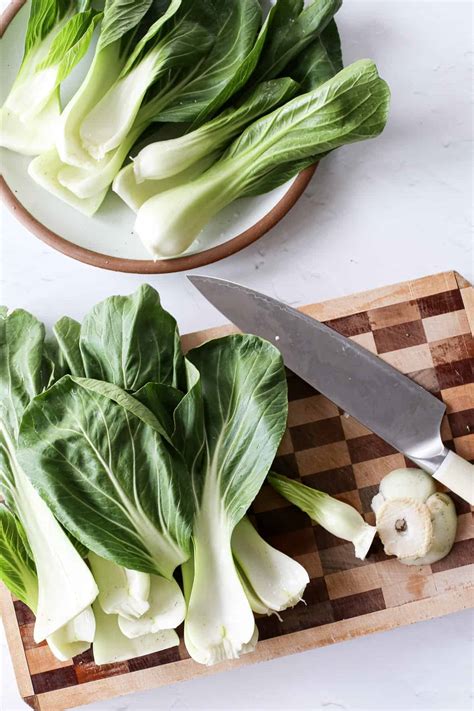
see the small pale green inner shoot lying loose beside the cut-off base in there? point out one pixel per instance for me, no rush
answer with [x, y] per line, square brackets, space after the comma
[335, 516]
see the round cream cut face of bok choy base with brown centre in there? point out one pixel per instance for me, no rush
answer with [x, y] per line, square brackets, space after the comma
[405, 528]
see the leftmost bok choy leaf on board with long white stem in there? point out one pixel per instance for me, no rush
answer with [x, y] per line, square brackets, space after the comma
[65, 584]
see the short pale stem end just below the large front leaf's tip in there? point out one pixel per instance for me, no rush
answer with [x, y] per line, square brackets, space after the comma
[121, 591]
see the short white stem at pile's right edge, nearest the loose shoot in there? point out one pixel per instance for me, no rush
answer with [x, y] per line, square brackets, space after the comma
[277, 580]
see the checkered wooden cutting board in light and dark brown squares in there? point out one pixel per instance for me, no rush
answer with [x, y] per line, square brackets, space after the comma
[424, 328]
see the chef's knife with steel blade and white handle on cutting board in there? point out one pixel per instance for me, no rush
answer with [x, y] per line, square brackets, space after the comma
[363, 385]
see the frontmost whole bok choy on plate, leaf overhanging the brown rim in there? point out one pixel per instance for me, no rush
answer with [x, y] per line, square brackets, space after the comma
[351, 106]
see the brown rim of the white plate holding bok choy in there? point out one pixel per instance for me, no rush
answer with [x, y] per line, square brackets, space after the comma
[148, 266]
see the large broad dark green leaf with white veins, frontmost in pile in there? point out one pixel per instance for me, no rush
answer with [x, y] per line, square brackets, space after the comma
[128, 504]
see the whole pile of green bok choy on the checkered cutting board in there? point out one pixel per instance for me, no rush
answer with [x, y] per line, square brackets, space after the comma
[128, 470]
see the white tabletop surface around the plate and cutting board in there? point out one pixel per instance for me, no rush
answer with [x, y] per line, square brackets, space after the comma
[376, 213]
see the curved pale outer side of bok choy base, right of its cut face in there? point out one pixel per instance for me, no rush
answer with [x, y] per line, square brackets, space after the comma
[444, 521]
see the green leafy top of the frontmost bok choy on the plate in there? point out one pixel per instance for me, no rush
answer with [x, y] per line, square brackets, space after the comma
[352, 106]
